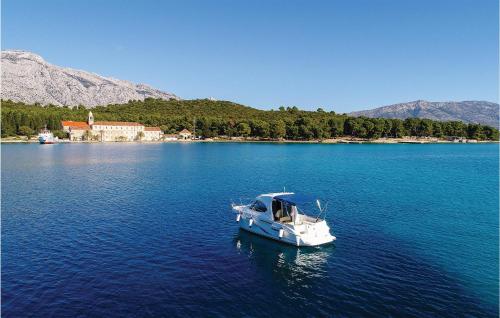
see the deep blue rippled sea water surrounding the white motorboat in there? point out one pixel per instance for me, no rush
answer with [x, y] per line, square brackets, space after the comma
[146, 230]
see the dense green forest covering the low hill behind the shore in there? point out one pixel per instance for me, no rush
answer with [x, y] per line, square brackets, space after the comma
[223, 118]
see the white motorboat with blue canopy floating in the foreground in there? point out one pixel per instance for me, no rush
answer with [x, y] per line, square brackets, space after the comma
[281, 216]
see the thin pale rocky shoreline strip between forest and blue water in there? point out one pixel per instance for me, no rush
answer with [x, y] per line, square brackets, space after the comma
[316, 141]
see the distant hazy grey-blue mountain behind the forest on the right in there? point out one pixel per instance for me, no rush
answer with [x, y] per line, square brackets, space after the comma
[481, 112]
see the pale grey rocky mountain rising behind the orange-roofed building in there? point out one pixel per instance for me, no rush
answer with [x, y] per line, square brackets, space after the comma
[26, 77]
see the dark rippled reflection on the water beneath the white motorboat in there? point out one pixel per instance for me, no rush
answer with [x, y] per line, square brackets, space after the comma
[288, 262]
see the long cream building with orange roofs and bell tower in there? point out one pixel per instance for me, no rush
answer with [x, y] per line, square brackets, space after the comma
[110, 130]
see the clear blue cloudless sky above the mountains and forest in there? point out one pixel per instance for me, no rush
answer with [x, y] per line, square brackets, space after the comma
[340, 55]
